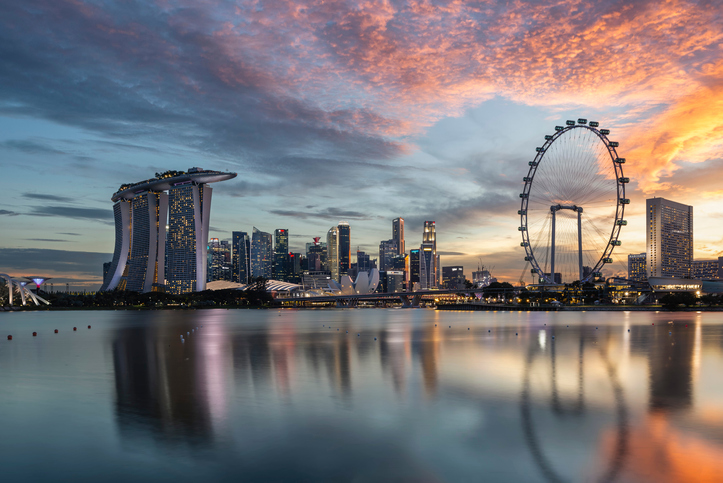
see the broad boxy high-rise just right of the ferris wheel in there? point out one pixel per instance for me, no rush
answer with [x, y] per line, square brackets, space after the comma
[669, 238]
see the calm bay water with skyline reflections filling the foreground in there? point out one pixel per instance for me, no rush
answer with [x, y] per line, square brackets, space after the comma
[278, 395]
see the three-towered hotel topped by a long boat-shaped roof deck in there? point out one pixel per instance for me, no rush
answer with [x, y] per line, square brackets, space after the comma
[142, 211]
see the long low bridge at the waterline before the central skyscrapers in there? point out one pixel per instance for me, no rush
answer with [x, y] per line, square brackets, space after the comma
[407, 299]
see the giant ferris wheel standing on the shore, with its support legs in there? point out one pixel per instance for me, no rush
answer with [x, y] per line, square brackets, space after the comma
[573, 191]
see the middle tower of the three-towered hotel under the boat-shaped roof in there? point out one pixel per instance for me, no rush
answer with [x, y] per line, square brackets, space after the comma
[148, 242]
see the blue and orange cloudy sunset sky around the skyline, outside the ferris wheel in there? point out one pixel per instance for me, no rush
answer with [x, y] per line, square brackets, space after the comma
[361, 111]
